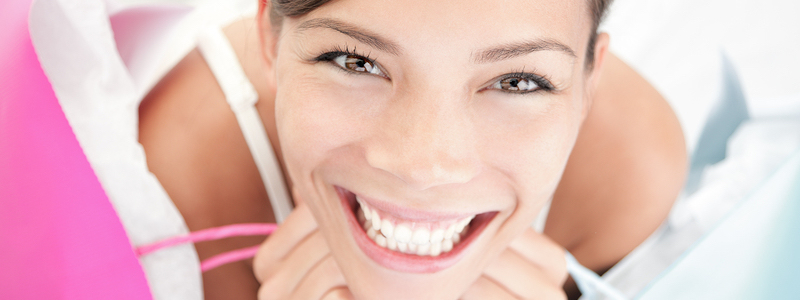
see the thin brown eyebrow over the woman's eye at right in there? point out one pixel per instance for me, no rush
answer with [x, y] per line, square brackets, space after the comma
[508, 51]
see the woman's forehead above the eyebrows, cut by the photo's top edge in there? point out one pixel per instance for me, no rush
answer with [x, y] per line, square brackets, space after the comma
[429, 23]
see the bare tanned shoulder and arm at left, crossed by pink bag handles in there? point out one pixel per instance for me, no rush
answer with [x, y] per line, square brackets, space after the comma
[195, 148]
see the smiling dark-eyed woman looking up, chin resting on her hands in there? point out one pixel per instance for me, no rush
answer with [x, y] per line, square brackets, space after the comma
[435, 119]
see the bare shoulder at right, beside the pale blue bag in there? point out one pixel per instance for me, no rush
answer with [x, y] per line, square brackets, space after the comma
[624, 174]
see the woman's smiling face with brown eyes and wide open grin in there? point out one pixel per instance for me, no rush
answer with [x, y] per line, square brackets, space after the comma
[434, 114]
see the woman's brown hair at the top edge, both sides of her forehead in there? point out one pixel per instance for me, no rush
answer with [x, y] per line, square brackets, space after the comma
[278, 9]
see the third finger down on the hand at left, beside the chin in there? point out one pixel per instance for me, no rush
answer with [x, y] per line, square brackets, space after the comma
[325, 276]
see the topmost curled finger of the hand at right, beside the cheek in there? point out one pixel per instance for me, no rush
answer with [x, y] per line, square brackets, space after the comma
[544, 252]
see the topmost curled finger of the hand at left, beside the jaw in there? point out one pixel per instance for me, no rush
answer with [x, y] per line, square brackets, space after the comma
[297, 227]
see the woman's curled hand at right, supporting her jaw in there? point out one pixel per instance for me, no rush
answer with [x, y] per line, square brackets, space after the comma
[532, 267]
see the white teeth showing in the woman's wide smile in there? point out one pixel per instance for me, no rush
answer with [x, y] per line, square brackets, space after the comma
[411, 237]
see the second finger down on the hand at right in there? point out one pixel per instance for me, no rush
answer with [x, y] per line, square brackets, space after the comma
[522, 278]
